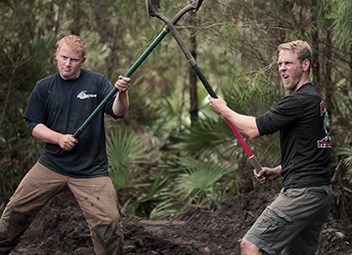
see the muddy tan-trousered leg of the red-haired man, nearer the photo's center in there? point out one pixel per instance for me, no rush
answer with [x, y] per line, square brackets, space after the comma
[98, 201]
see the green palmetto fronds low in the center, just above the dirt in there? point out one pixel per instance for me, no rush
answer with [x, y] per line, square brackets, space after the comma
[186, 182]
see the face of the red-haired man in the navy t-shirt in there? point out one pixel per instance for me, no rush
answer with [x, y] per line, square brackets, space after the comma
[69, 62]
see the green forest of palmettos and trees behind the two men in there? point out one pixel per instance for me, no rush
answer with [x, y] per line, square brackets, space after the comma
[171, 151]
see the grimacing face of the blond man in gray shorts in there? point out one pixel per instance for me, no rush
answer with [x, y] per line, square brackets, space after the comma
[291, 70]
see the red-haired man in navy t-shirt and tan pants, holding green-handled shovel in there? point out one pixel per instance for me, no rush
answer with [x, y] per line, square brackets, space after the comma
[59, 104]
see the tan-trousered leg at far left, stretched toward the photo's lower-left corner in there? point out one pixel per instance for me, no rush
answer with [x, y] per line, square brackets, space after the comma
[35, 189]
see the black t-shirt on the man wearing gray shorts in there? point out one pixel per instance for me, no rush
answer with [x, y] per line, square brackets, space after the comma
[305, 138]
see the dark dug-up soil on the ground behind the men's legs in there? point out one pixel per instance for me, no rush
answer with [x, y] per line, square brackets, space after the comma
[59, 228]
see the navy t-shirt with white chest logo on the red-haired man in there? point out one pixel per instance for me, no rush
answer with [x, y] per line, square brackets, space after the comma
[63, 106]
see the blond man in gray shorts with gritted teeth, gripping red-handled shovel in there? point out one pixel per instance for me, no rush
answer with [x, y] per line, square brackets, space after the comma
[293, 221]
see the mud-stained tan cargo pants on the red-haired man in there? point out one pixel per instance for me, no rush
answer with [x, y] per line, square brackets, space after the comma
[96, 197]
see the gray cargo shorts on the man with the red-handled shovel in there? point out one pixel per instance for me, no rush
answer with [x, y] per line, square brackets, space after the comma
[291, 224]
